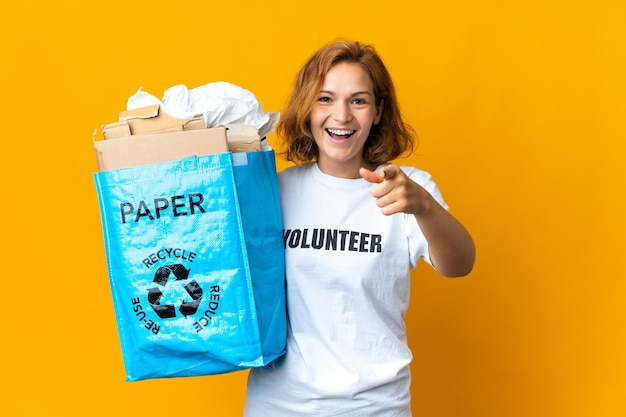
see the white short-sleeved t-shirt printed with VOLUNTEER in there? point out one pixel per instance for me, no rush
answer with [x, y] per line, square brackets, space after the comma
[348, 276]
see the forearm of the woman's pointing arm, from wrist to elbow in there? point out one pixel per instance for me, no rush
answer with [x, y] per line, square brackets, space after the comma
[451, 247]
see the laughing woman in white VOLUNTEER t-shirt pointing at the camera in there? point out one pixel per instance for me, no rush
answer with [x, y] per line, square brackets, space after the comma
[354, 227]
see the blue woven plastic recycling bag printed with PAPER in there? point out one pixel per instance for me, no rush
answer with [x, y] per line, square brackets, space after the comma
[196, 264]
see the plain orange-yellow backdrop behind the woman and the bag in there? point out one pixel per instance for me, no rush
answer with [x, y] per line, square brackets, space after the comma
[520, 107]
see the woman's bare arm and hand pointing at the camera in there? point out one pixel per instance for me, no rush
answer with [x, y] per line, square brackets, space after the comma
[451, 247]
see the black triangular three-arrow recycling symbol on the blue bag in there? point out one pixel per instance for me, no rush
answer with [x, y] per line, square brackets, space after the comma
[161, 277]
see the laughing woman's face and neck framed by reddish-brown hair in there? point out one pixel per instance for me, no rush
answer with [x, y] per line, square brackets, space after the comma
[341, 119]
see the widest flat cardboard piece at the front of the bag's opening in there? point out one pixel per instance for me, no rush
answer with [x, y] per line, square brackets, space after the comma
[146, 149]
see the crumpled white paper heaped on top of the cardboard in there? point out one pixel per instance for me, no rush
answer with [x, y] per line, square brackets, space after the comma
[220, 103]
